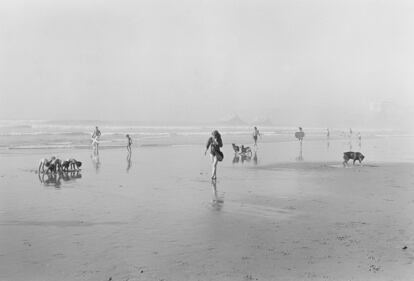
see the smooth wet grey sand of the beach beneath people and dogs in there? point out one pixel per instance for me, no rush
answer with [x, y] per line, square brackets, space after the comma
[159, 217]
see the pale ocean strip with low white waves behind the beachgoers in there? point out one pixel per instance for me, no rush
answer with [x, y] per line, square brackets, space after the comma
[17, 135]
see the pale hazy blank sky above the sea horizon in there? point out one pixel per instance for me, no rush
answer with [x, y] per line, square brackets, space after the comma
[202, 60]
